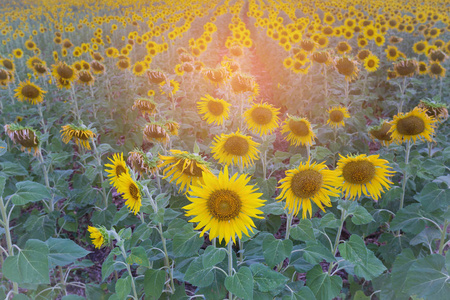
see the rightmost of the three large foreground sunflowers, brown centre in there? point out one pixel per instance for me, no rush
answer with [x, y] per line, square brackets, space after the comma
[364, 174]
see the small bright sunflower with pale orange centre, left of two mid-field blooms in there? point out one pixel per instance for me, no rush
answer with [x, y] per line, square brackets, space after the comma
[214, 110]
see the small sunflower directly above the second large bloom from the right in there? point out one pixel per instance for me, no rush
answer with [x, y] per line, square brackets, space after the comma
[300, 131]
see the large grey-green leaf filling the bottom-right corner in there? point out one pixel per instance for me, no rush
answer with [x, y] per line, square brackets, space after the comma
[427, 278]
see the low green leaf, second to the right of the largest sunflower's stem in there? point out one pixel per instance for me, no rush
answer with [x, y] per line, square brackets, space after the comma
[266, 279]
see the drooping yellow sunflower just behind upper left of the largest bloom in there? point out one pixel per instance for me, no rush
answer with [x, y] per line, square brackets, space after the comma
[187, 169]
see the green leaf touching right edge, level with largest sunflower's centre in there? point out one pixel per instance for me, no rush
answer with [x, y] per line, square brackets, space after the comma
[432, 197]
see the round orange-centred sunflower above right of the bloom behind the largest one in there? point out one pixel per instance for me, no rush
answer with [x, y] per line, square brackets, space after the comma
[262, 118]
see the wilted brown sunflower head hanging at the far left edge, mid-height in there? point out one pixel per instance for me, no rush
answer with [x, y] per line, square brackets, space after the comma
[26, 137]
